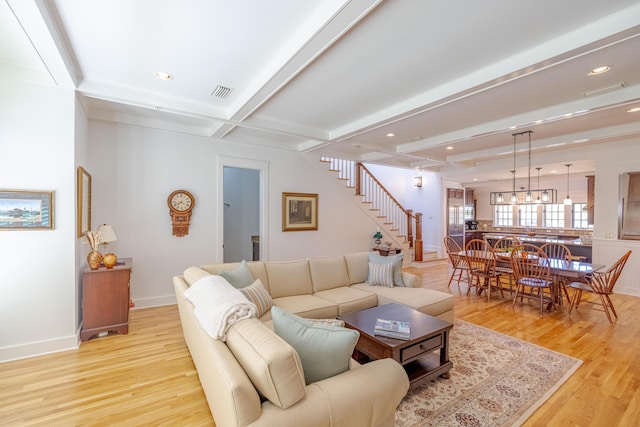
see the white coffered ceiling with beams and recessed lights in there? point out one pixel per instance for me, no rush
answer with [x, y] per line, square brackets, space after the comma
[452, 81]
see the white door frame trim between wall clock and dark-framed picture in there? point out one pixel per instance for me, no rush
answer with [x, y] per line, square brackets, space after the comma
[263, 167]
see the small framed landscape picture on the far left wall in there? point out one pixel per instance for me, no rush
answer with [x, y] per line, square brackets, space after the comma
[26, 210]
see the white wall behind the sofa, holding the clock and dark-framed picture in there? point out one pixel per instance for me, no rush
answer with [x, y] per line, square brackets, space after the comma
[134, 169]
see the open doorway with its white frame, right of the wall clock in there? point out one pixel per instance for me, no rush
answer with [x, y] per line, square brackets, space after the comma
[242, 210]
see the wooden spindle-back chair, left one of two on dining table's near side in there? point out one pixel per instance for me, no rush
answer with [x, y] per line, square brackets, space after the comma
[482, 267]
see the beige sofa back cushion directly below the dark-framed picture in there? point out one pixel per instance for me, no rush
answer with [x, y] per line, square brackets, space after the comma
[289, 278]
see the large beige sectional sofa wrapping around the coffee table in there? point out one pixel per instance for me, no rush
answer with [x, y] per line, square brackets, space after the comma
[256, 379]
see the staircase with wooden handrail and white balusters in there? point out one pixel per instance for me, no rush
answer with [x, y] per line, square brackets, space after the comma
[397, 222]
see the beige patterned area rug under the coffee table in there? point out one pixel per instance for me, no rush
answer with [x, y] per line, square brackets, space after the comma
[496, 380]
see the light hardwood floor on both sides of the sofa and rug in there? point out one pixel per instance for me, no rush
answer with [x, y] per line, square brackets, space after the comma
[147, 377]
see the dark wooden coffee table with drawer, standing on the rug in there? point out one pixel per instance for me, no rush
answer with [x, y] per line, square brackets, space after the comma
[418, 354]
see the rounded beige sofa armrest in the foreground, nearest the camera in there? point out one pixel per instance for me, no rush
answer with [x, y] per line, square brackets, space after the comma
[350, 399]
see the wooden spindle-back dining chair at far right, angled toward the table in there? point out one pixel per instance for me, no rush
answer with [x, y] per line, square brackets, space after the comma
[600, 284]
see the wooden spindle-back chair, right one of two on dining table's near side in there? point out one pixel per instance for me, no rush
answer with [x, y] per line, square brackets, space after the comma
[532, 273]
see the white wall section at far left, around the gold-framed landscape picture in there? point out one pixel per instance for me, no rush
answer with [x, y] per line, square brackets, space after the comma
[38, 284]
